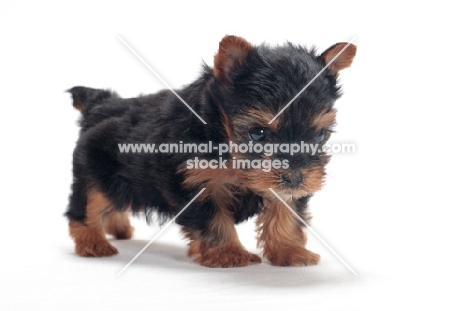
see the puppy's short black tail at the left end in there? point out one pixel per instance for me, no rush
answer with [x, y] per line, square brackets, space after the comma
[84, 98]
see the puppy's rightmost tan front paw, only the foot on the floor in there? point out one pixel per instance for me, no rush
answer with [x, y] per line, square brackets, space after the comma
[293, 257]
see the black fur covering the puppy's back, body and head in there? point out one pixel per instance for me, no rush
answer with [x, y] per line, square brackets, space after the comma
[268, 78]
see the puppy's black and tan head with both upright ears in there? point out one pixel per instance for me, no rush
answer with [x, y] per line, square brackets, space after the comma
[278, 97]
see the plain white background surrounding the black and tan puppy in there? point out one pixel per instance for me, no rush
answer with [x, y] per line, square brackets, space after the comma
[394, 210]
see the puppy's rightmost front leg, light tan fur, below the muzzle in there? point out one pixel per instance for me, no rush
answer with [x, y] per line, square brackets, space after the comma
[282, 236]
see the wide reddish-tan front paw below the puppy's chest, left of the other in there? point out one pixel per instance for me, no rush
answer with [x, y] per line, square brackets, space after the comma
[225, 257]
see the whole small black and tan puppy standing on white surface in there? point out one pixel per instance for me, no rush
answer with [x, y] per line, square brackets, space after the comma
[238, 98]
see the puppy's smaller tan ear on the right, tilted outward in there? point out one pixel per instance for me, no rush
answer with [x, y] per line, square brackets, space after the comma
[341, 61]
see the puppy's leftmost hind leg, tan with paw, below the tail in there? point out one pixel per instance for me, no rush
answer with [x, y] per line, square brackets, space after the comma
[89, 234]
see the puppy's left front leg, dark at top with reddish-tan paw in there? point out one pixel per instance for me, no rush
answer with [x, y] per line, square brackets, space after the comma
[218, 245]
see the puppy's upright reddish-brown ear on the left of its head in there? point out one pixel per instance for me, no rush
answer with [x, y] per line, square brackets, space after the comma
[231, 55]
